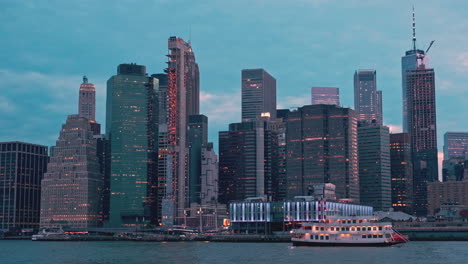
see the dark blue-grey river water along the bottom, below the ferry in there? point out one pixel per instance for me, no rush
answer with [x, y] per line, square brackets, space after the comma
[212, 252]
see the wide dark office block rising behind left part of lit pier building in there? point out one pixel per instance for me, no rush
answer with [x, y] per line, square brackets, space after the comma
[247, 161]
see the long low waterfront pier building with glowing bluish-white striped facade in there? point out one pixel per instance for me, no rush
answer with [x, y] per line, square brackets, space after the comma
[259, 216]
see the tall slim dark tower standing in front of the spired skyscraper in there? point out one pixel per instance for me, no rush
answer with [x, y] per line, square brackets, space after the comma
[423, 132]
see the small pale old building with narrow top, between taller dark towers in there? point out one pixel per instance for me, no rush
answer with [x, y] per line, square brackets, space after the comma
[209, 175]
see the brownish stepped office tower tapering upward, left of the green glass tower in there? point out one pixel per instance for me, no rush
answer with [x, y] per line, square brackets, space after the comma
[72, 186]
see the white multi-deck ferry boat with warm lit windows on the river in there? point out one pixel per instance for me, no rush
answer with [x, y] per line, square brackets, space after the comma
[349, 231]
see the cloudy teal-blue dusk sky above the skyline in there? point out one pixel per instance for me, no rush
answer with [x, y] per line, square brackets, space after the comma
[47, 48]
